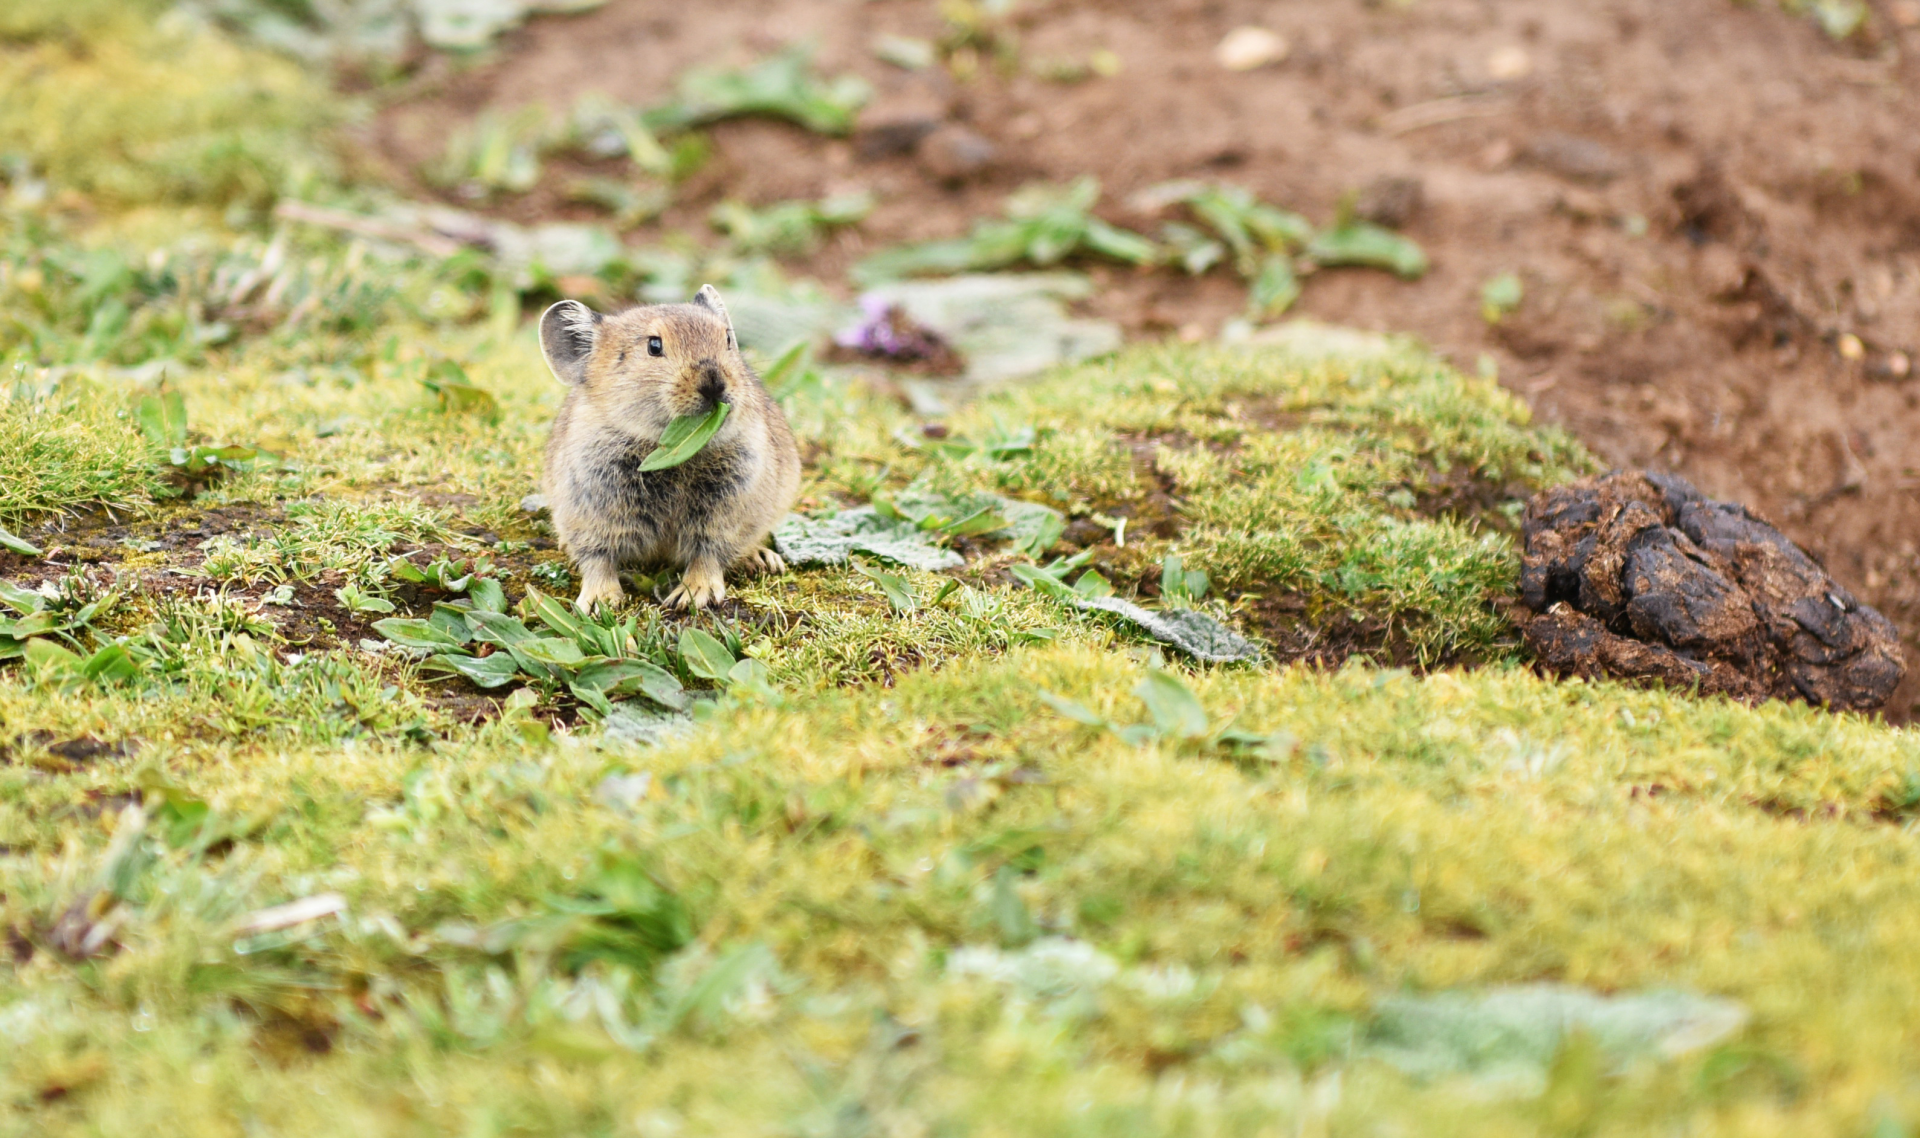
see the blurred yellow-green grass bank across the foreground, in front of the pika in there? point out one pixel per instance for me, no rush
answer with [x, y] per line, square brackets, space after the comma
[1420, 834]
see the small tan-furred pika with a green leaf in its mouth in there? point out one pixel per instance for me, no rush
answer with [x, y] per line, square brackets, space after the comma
[629, 377]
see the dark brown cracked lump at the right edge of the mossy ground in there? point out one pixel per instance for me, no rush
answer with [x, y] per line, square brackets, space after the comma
[1641, 577]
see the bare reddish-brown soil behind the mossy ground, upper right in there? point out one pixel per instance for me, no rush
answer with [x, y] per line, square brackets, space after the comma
[1714, 208]
